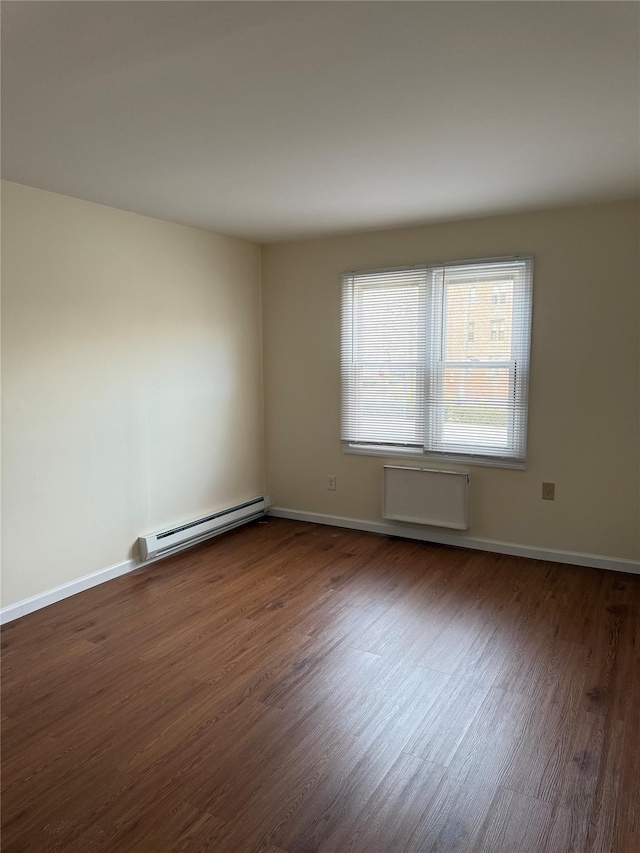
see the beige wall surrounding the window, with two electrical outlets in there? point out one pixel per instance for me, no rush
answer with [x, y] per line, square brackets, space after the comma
[583, 423]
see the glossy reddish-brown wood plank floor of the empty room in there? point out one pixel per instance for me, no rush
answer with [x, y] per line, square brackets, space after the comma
[290, 687]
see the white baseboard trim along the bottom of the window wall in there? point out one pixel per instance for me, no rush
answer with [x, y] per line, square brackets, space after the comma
[574, 558]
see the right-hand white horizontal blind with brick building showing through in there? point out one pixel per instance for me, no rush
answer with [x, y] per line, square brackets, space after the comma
[480, 364]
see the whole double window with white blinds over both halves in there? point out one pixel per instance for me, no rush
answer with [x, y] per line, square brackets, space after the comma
[428, 368]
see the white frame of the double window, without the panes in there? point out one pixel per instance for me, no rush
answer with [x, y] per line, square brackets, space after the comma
[435, 365]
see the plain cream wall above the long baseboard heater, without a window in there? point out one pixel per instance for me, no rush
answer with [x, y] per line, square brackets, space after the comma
[131, 392]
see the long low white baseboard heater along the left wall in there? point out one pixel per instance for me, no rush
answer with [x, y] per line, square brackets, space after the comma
[191, 533]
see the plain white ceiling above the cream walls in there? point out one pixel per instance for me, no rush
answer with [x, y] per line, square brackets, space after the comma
[278, 120]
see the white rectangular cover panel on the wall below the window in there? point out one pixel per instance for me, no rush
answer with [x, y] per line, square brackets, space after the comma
[425, 496]
